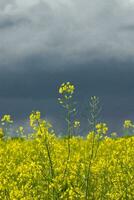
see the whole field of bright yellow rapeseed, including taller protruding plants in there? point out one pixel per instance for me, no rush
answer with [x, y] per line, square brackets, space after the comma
[43, 166]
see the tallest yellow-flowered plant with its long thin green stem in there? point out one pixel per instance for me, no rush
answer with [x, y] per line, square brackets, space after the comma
[66, 92]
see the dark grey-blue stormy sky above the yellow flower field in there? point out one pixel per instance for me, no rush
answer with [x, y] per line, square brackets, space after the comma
[46, 42]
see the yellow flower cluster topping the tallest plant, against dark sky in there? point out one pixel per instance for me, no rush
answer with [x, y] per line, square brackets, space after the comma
[66, 88]
